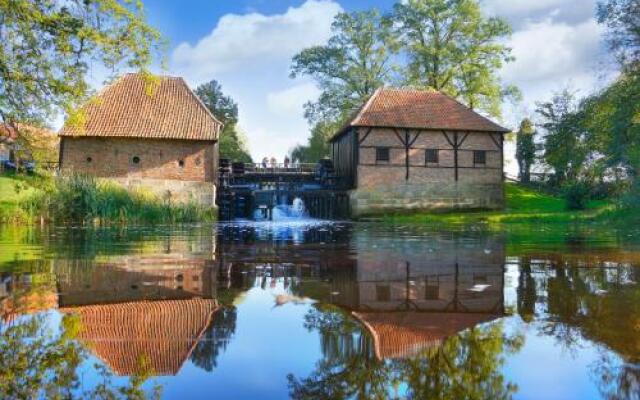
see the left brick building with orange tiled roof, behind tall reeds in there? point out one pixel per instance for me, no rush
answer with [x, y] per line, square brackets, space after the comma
[146, 132]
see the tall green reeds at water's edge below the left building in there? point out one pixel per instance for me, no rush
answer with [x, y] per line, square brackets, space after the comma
[83, 200]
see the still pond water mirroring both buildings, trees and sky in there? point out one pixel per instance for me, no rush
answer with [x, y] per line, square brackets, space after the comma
[313, 310]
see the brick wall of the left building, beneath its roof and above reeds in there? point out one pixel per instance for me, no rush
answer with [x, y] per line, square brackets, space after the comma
[176, 170]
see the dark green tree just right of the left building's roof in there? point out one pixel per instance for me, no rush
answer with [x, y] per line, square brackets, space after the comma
[225, 109]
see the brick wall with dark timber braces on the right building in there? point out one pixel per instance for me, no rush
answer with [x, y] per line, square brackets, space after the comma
[383, 186]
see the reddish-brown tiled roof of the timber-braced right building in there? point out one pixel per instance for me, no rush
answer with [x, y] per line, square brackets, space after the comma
[419, 109]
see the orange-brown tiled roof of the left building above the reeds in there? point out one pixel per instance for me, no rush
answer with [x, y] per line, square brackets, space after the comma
[136, 107]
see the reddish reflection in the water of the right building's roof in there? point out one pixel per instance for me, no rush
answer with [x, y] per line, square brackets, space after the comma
[405, 334]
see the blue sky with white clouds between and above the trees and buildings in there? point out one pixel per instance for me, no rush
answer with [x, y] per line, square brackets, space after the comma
[247, 45]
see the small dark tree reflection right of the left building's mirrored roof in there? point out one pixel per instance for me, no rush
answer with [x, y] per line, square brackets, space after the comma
[215, 339]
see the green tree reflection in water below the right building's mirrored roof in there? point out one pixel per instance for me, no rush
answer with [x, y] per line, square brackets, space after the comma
[464, 366]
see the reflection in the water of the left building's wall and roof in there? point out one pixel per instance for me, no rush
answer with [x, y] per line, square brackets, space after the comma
[140, 312]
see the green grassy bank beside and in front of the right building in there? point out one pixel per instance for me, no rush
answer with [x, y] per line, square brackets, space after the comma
[523, 206]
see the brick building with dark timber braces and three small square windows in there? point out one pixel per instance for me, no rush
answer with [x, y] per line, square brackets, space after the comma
[410, 149]
